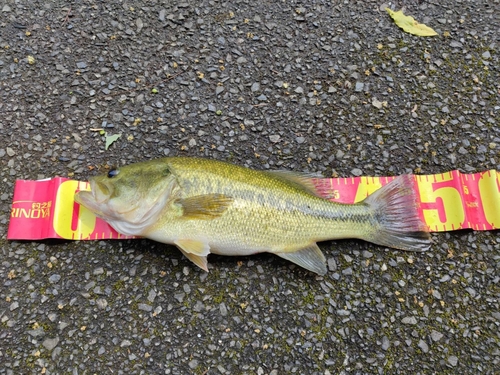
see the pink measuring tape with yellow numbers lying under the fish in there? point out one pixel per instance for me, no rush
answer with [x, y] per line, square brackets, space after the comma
[448, 201]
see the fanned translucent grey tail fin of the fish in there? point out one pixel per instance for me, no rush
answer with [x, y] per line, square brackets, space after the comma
[394, 208]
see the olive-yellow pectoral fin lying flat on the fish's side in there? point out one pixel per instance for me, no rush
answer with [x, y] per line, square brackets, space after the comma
[207, 206]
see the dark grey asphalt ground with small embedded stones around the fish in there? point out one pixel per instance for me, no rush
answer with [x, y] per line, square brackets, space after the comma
[321, 86]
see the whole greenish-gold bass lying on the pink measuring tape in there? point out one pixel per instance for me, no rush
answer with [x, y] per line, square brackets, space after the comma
[205, 206]
